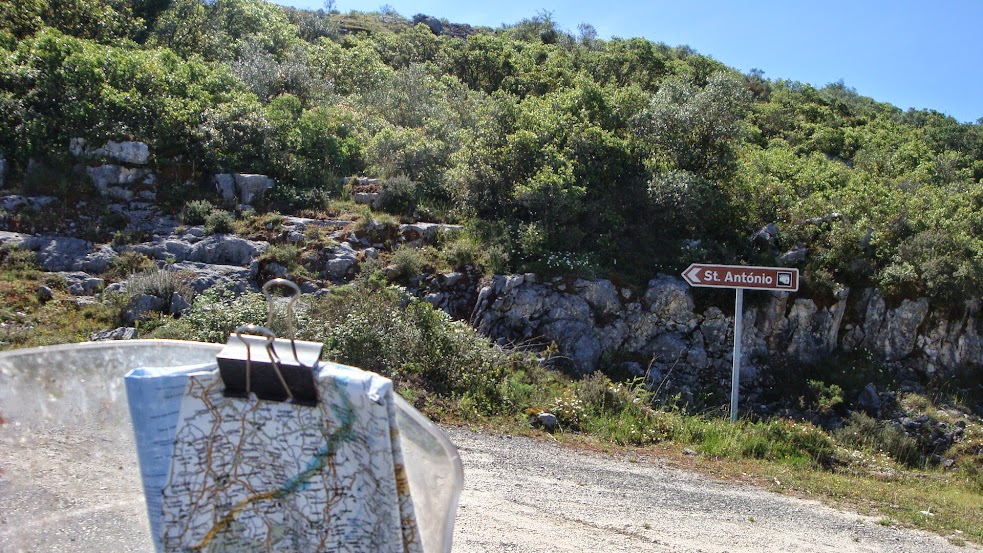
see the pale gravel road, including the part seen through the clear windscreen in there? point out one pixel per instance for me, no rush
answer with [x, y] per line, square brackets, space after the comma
[68, 491]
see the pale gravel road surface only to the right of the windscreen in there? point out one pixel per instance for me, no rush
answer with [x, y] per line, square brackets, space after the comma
[534, 496]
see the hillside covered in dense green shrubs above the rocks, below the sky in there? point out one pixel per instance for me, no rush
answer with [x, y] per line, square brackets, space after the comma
[562, 152]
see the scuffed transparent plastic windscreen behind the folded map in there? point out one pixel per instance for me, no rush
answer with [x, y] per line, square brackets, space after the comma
[69, 477]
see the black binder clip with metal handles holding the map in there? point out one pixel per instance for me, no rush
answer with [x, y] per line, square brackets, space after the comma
[255, 361]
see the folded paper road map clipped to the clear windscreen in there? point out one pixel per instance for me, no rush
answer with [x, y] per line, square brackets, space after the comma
[254, 475]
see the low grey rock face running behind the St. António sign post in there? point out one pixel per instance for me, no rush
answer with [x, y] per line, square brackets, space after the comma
[665, 335]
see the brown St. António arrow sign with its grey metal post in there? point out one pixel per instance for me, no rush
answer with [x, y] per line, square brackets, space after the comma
[740, 277]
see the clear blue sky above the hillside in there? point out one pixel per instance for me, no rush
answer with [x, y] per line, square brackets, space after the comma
[907, 53]
